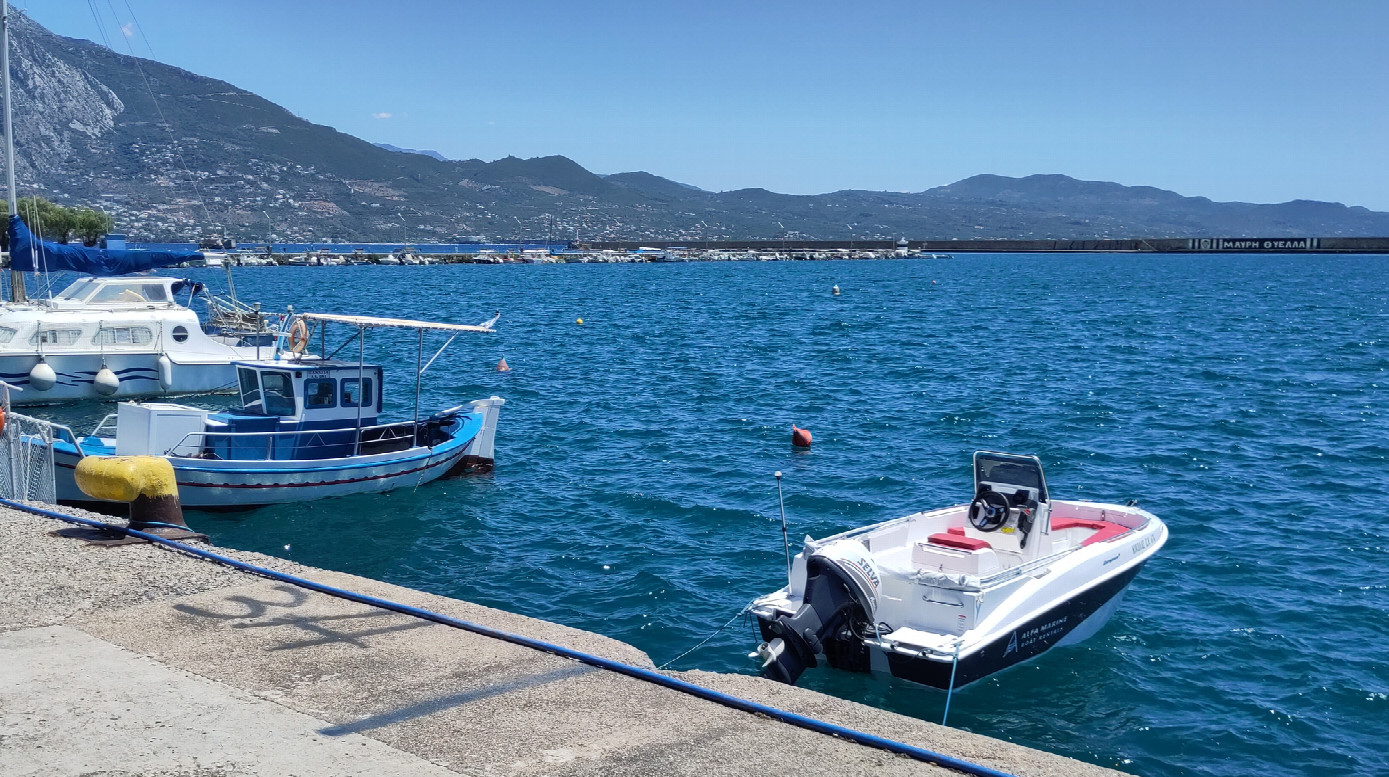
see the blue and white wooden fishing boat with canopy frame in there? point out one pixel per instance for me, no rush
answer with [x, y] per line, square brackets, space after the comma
[306, 429]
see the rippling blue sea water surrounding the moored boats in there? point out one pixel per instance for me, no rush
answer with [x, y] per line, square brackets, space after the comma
[1240, 398]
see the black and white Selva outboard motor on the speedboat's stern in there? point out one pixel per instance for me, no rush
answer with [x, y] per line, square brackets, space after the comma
[841, 597]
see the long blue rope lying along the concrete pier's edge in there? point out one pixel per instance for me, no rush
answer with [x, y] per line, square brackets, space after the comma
[635, 672]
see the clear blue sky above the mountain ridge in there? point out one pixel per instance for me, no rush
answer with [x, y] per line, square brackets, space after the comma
[1258, 101]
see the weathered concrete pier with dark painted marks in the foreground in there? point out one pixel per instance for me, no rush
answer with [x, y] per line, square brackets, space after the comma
[144, 661]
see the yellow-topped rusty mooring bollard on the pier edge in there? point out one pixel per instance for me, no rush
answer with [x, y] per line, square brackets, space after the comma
[148, 484]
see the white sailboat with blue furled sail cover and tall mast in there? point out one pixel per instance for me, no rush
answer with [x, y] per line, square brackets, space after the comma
[112, 334]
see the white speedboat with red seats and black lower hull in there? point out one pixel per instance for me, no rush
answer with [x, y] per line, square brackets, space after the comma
[948, 597]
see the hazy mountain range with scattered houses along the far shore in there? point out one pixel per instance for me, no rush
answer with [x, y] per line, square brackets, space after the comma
[173, 155]
